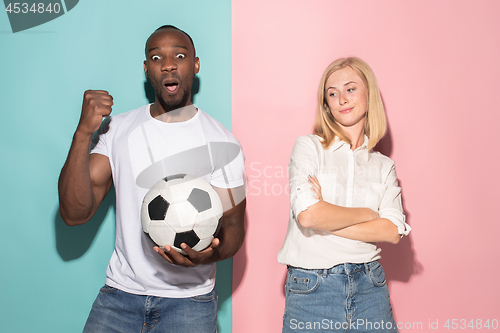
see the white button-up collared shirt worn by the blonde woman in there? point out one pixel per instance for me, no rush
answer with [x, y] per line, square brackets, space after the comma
[359, 178]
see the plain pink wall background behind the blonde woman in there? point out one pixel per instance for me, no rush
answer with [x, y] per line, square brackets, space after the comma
[437, 63]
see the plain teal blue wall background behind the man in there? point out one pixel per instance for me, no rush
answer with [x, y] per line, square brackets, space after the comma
[51, 273]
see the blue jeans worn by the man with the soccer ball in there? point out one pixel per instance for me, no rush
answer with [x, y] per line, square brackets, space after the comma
[117, 311]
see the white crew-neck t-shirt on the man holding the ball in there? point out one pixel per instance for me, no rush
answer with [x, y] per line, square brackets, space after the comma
[141, 151]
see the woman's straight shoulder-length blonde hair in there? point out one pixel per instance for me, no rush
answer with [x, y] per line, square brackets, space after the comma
[375, 125]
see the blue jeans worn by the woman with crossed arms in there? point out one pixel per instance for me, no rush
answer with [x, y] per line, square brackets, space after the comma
[344, 298]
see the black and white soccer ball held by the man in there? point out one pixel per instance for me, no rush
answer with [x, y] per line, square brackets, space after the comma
[181, 209]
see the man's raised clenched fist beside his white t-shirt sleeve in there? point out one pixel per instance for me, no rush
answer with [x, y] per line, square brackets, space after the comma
[96, 105]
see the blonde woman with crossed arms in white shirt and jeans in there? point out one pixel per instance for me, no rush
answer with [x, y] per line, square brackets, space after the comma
[344, 198]
